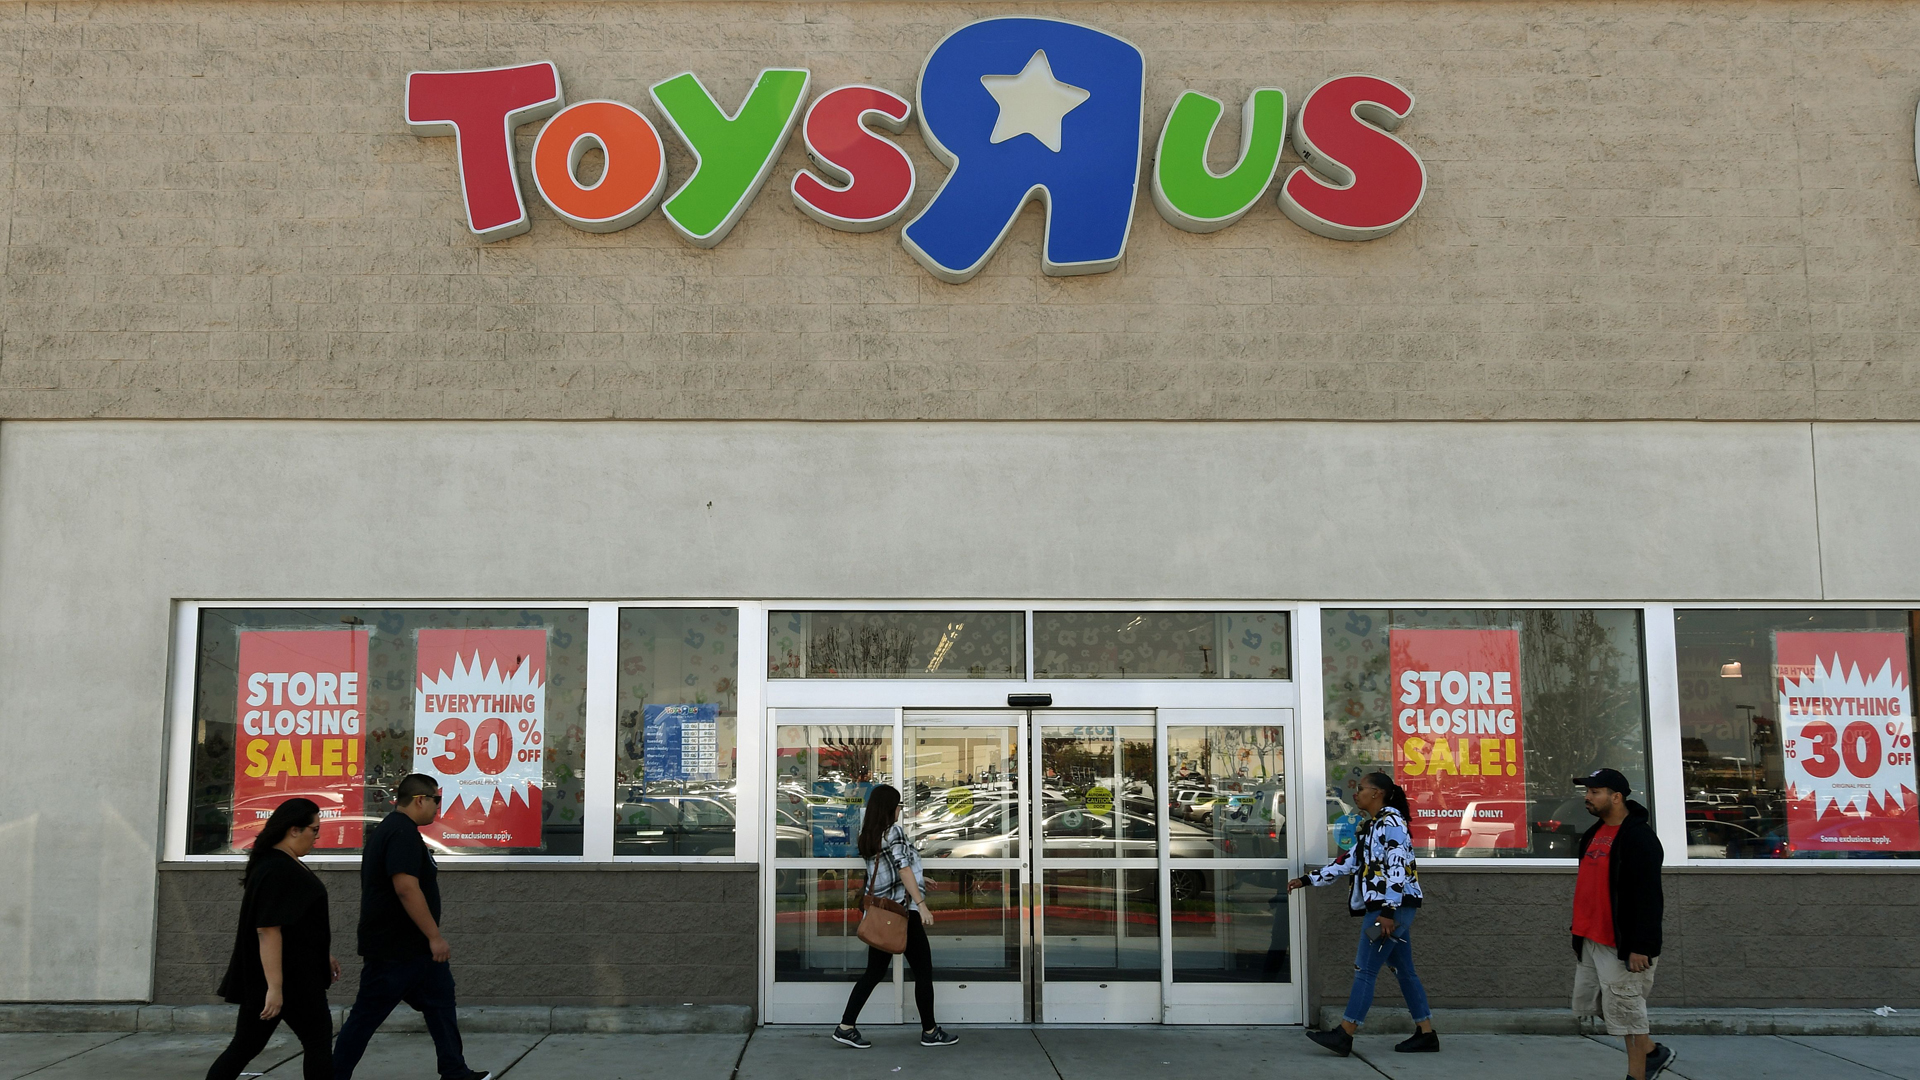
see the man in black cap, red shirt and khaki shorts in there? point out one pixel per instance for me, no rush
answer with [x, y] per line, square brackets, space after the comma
[1618, 914]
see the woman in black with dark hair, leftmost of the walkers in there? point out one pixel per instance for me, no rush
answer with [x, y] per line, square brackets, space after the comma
[281, 966]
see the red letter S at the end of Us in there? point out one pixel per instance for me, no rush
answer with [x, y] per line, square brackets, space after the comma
[1378, 184]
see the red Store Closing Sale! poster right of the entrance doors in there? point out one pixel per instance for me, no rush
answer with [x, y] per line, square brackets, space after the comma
[1460, 747]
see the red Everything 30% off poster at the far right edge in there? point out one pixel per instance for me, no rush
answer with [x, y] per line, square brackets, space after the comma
[1846, 725]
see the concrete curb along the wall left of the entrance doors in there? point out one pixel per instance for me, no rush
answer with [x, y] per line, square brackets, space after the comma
[496, 1019]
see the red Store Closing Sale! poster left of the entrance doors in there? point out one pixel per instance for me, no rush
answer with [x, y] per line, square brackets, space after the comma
[302, 733]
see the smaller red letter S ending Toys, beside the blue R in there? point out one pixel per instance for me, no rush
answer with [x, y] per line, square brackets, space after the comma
[878, 176]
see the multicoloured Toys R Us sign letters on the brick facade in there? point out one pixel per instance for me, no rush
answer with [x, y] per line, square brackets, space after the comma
[1017, 109]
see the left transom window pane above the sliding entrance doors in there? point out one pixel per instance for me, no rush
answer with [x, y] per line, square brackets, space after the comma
[898, 645]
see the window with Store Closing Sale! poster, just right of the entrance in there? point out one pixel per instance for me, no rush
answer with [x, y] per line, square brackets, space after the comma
[1483, 716]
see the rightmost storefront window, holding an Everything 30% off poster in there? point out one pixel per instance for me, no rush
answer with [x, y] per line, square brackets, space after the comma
[1796, 735]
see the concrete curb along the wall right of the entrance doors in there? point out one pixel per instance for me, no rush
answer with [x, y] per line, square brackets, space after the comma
[1664, 1021]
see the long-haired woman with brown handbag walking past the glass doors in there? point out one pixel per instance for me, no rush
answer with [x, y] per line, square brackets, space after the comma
[894, 873]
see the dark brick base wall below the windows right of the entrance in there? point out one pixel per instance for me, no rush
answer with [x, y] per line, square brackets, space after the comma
[1733, 939]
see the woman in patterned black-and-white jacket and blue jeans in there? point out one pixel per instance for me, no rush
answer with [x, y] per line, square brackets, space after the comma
[1387, 896]
